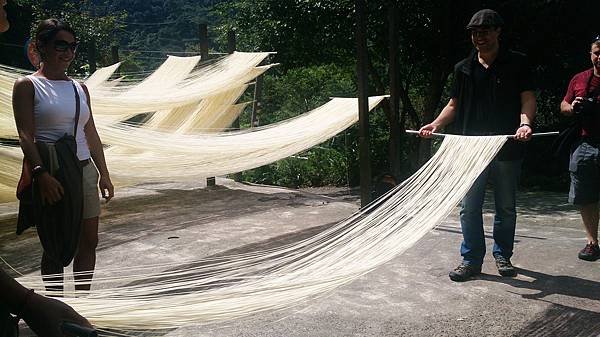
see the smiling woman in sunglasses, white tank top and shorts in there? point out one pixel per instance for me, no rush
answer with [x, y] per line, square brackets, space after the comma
[45, 105]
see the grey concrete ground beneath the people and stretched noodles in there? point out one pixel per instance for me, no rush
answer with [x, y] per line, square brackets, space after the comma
[555, 294]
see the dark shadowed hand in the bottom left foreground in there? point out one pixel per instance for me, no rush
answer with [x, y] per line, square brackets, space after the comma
[46, 315]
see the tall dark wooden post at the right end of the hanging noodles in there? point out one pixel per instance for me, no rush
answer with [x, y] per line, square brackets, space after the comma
[363, 103]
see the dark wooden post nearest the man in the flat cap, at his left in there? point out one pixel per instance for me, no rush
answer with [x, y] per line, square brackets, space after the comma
[394, 100]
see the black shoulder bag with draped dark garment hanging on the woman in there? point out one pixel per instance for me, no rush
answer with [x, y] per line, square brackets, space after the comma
[58, 225]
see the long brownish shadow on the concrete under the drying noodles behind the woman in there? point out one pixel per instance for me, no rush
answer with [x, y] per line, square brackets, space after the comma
[173, 210]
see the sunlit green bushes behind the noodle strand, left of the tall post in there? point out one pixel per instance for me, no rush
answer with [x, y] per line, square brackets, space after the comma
[287, 95]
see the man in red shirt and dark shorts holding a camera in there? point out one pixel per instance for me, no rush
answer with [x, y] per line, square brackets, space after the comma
[583, 100]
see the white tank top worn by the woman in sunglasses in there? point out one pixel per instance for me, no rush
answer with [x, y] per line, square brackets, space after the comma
[54, 112]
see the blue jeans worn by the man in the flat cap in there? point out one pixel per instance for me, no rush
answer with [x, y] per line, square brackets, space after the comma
[504, 176]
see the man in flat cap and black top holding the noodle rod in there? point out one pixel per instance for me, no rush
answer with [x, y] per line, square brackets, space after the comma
[492, 94]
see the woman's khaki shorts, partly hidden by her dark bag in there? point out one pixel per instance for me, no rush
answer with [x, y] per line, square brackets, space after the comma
[91, 197]
